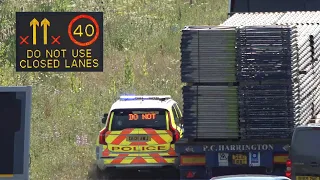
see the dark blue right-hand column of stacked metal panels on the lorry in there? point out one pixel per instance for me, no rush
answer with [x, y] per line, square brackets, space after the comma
[267, 65]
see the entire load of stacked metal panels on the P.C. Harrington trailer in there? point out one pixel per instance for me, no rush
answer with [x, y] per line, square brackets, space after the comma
[248, 81]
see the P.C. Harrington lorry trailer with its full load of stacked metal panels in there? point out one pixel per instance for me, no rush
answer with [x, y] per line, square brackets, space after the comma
[249, 82]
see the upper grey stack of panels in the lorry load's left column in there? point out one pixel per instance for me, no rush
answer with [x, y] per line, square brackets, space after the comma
[208, 54]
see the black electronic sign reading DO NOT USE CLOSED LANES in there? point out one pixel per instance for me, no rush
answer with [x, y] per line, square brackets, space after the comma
[59, 41]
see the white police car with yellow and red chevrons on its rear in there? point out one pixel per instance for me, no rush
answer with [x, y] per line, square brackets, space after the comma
[140, 132]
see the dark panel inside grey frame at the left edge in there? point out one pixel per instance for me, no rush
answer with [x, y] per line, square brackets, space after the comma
[11, 124]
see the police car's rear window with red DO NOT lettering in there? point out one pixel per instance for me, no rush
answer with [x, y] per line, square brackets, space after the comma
[138, 118]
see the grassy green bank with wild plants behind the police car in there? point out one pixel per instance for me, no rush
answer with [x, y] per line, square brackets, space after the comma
[141, 56]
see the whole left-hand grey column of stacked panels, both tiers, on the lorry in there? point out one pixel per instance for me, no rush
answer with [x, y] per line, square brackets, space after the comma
[208, 61]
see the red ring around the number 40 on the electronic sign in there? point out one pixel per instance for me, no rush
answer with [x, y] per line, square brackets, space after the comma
[93, 20]
